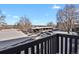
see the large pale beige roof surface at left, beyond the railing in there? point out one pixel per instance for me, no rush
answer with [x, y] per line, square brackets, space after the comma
[8, 34]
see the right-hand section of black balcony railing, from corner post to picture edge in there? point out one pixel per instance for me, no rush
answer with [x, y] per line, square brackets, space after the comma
[68, 44]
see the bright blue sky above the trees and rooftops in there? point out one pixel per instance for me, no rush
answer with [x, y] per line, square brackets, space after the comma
[38, 14]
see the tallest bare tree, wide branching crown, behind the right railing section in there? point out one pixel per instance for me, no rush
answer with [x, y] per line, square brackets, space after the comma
[66, 17]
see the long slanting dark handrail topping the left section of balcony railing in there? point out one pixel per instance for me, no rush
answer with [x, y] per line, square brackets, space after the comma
[24, 43]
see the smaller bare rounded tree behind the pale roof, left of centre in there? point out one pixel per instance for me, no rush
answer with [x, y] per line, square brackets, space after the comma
[24, 24]
